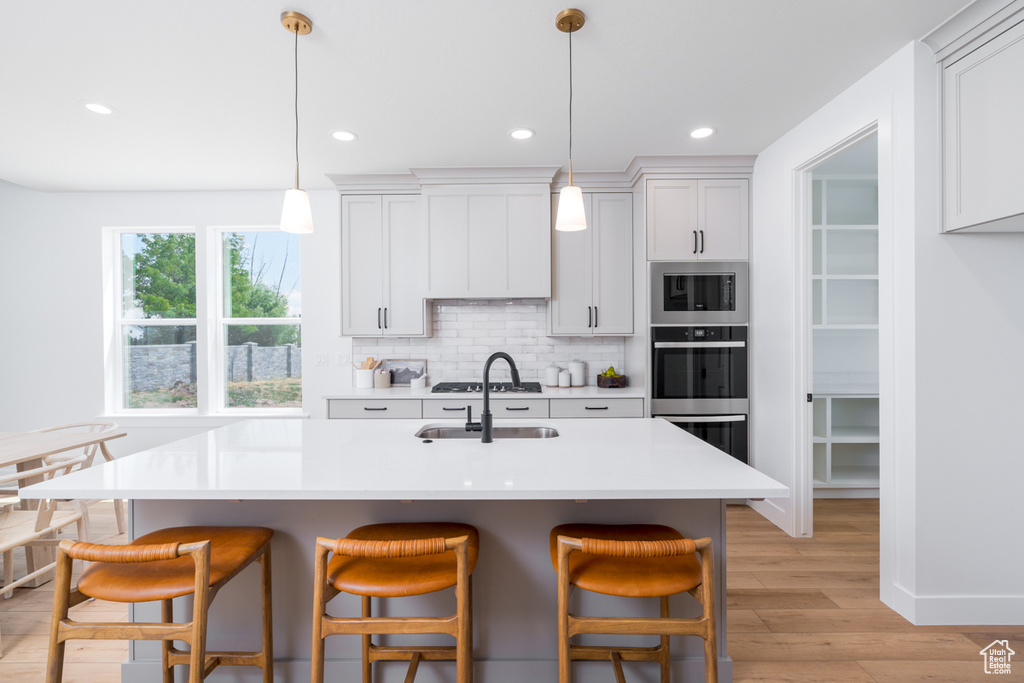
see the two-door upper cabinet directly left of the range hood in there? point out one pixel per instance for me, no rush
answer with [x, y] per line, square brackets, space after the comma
[383, 269]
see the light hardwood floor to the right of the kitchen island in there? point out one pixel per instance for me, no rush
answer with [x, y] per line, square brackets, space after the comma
[807, 610]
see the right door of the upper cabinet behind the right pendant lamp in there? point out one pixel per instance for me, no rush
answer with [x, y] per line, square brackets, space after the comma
[612, 219]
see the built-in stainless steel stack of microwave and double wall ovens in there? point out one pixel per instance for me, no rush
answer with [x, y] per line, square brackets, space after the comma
[700, 351]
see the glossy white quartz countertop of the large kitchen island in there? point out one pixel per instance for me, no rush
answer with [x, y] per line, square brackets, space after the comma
[600, 459]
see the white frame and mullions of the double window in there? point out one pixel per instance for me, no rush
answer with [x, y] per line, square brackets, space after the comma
[210, 324]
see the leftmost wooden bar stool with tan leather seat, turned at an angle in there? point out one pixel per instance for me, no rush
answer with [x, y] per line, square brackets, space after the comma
[163, 566]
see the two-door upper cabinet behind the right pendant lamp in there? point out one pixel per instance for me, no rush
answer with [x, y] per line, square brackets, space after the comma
[592, 288]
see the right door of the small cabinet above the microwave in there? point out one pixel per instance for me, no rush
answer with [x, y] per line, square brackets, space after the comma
[723, 222]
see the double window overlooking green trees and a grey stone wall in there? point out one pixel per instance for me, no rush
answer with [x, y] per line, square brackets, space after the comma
[204, 322]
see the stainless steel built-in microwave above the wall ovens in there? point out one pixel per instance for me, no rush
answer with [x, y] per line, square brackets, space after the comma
[699, 293]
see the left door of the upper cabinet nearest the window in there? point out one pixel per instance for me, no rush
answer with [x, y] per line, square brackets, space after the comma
[363, 267]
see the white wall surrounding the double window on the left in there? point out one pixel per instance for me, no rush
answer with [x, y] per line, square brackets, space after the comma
[52, 344]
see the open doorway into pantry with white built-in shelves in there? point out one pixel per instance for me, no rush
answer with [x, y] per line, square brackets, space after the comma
[838, 228]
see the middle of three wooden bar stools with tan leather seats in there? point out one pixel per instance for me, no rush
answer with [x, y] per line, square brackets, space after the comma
[398, 561]
